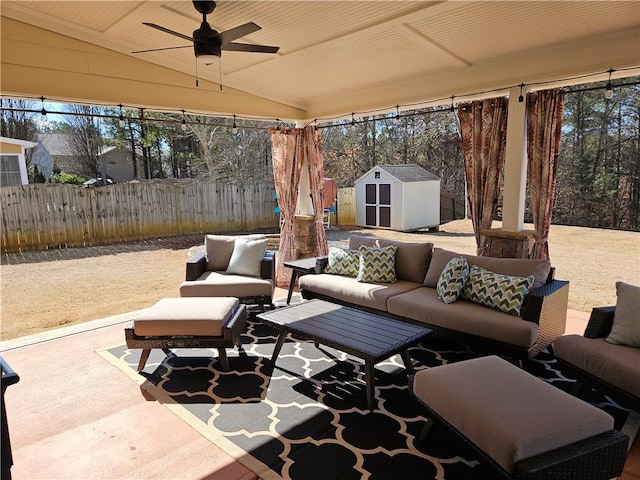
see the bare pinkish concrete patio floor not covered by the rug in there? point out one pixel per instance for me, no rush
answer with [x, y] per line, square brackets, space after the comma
[75, 416]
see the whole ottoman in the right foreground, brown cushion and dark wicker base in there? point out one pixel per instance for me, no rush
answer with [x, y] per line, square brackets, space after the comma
[519, 424]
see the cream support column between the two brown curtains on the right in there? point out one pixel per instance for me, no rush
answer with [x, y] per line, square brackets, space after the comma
[515, 168]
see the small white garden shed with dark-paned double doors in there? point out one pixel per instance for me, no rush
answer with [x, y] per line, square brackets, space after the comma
[398, 197]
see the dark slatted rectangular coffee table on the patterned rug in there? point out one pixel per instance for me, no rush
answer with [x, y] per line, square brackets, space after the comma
[364, 335]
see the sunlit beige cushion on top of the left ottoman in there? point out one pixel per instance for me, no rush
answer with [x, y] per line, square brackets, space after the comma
[195, 316]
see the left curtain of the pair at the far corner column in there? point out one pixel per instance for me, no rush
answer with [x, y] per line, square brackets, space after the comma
[287, 163]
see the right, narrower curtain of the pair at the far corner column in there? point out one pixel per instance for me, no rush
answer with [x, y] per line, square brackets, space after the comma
[313, 144]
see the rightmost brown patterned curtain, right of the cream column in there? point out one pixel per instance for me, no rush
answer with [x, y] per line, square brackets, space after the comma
[544, 124]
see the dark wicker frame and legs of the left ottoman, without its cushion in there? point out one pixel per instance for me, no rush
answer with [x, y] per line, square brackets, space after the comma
[231, 336]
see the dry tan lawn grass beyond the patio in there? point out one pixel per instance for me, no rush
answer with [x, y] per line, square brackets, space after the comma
[41, 296]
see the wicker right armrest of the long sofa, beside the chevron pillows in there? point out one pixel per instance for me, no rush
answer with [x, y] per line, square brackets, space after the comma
[547, 306]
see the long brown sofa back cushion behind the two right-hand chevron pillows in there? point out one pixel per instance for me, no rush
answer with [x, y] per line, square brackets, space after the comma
[516, 267]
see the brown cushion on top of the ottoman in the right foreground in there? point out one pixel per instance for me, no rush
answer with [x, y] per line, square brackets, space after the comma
[506, 412]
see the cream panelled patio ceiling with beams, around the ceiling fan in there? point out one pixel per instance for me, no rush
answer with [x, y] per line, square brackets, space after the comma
[336, 57]
